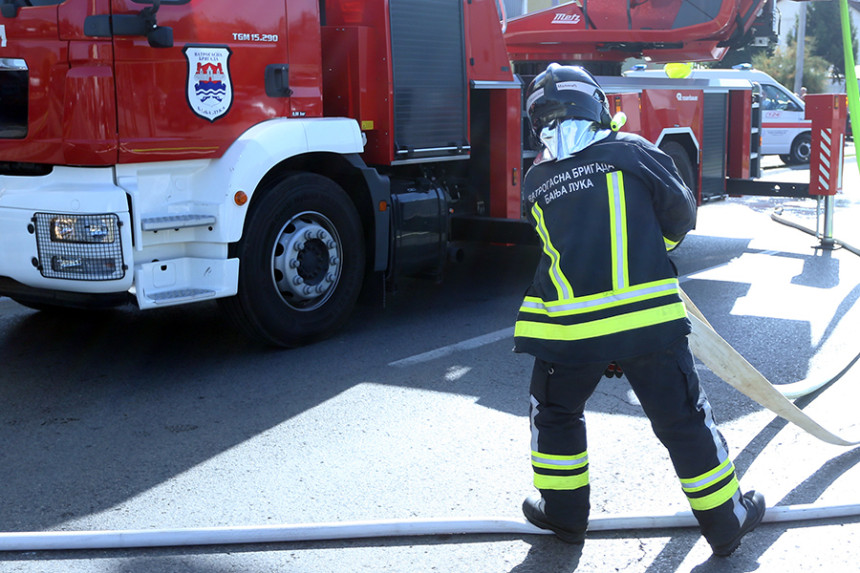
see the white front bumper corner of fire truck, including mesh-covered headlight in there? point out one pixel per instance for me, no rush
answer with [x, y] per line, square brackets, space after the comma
[69, 230]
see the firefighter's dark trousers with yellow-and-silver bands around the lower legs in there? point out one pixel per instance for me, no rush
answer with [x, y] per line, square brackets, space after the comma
[668, 388]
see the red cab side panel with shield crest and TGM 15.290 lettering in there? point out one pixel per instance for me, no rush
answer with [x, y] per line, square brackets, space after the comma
[211, 86]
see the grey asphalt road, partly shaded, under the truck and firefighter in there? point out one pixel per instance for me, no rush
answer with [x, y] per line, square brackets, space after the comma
[168, 419]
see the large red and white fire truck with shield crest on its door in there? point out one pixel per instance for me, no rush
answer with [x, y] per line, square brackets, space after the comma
[274, 155]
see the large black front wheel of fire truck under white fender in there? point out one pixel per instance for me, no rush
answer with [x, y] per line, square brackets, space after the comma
[301, 262]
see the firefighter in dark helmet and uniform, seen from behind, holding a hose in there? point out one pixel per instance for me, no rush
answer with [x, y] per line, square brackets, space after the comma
[608, 207]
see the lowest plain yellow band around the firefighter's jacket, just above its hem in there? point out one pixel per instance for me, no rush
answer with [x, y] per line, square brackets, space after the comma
[601, 327]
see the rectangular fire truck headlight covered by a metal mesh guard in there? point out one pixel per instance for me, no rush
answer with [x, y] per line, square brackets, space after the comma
[79, 247]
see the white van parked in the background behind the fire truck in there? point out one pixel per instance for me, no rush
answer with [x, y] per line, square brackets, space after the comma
[785, 132]
